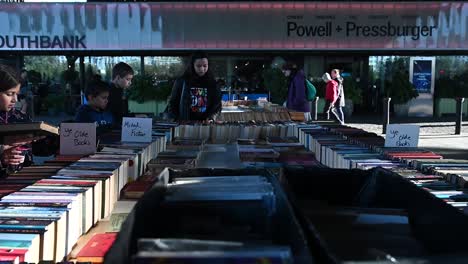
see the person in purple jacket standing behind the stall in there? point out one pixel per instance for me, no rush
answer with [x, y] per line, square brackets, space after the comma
[296, 100]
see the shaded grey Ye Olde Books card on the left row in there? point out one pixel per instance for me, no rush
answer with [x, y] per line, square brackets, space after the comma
[77, 138]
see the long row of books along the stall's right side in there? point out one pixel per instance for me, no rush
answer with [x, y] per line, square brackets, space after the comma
[350, 148]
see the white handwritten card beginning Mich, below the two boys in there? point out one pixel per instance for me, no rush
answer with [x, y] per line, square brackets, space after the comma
[136, 129]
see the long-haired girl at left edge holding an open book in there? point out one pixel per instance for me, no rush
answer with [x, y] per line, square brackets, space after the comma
[15, 151]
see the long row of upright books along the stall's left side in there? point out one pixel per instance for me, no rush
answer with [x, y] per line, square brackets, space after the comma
[46, 209]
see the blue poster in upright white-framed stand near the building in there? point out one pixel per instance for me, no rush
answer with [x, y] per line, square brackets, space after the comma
[422, 76]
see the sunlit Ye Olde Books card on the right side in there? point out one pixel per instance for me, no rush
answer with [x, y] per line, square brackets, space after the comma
[402, 136]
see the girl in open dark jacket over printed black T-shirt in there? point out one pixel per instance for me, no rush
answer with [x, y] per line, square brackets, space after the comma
[195, 95]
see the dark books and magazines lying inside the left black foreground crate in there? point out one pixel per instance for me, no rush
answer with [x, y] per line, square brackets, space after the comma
[220, 219]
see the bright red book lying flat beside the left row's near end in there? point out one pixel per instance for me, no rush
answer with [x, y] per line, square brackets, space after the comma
[96, 248]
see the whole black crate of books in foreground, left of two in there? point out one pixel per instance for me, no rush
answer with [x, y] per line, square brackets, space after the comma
[212, 216]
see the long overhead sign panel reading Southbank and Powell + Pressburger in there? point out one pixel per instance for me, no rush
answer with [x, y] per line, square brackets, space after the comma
[230, 25]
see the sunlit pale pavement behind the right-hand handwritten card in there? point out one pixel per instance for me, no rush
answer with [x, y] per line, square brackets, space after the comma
[437, 135]
